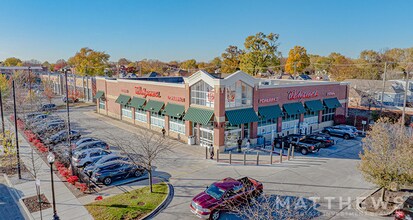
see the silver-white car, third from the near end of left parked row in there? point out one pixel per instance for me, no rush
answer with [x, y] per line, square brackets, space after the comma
[88, 156]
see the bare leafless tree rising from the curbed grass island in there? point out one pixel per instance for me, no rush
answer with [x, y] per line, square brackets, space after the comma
[144, 148]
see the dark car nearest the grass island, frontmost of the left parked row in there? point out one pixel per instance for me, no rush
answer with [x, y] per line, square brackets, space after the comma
[115, 170]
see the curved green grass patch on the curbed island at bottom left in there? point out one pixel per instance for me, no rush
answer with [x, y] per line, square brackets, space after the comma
[132, 205]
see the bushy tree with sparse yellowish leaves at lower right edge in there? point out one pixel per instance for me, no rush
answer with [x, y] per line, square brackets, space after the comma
[386, 158]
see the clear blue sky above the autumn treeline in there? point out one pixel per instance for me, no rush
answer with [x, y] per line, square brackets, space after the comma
[200, 29]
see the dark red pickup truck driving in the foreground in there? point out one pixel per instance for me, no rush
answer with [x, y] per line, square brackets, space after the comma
[217, 197]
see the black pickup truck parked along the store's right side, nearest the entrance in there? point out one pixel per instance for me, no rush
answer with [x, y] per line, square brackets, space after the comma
[301, 144]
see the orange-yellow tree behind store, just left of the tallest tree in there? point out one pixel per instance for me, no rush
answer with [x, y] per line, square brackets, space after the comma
[231, 59]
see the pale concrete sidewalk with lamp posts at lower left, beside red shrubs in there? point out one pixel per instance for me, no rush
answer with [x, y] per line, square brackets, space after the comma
[67, 205]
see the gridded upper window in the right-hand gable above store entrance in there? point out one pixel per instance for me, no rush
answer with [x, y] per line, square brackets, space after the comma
[238, 94]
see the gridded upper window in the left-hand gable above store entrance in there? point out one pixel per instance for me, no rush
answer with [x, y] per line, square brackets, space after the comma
[202, 94]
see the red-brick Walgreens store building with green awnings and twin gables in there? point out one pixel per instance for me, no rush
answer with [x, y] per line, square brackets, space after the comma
[209, 109]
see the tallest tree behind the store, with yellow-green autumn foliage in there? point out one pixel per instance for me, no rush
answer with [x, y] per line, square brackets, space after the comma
[260, 53]
